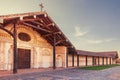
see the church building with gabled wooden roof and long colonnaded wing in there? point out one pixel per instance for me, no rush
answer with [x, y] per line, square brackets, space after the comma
[33, 40]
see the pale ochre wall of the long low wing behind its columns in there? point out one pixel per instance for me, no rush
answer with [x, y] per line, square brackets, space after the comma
[82, 61]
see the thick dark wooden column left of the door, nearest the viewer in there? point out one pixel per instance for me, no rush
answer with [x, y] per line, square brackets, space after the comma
[15, 49]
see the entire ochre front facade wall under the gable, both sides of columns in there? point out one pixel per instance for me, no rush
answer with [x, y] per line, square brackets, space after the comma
[41, 50]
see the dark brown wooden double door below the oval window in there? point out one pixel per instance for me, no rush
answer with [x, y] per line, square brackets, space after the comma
[23, 58]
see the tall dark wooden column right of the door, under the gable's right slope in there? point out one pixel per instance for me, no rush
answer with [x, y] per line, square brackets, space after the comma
[54, 51]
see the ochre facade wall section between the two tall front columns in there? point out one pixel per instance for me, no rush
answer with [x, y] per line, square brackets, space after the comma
[41, 50]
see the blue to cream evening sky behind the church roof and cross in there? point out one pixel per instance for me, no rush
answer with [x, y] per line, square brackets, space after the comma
[91, 25]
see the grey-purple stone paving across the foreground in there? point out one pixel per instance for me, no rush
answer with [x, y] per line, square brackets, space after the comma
[68, 74]
